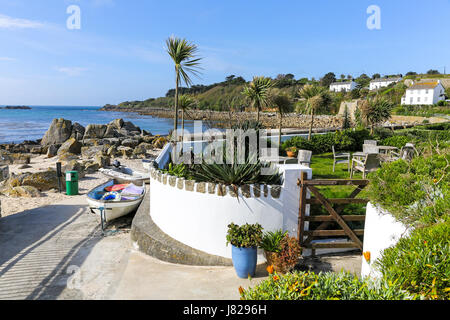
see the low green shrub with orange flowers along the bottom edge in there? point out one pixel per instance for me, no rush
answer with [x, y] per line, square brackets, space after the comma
[323, 286]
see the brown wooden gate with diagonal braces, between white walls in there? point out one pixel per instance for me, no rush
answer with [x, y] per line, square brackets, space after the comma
[306, 237]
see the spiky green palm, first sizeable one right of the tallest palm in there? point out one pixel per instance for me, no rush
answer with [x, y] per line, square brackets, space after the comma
[257, 93]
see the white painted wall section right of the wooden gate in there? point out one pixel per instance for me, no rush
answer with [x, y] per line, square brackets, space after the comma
[381, 231]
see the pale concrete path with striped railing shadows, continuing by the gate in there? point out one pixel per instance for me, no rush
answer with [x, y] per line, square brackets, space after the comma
[59, 252]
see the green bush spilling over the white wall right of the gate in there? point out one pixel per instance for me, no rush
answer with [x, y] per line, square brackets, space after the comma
[415, 193]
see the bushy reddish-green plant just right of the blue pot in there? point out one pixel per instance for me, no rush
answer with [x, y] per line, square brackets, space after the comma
[282, 251]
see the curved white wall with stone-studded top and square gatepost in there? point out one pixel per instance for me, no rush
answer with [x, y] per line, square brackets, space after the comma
[200, 220]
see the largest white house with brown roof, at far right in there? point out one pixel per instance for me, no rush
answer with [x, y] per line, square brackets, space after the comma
[424, 93]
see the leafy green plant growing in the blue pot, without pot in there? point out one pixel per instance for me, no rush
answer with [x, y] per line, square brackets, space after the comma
[245, 236]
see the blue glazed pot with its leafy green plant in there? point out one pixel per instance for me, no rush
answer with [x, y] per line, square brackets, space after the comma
[244, 241]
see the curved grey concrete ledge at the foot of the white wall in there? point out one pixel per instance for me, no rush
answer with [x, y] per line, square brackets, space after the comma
[151, 240]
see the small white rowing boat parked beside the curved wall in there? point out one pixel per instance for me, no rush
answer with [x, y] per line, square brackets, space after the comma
[114, 199]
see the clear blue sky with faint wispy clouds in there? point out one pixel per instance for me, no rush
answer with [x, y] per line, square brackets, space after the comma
[118, 54]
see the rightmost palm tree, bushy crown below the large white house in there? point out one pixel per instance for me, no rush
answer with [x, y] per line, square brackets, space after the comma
[375, 111]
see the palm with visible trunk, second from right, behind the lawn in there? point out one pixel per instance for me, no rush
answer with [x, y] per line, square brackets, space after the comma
[317, 98]
